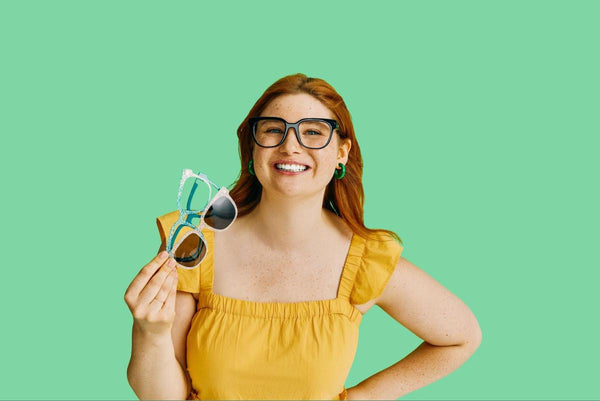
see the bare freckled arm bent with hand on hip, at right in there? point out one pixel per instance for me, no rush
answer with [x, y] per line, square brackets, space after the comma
[449, 329]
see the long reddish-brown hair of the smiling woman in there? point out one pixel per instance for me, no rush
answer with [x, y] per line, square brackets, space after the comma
[344, 197]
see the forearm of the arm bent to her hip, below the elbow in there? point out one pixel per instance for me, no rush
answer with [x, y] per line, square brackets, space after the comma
[426, 364]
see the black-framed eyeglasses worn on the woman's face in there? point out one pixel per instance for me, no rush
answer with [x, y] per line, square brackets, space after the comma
[312, 133]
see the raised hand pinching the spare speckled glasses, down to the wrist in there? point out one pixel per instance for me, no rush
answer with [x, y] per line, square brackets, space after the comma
[151, 295]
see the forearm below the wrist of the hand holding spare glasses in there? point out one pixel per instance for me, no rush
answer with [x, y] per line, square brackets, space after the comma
[153, 371]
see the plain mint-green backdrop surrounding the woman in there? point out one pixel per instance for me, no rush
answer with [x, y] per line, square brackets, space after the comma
[478, 125]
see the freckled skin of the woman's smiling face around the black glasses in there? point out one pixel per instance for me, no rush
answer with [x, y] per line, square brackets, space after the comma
[321, 162]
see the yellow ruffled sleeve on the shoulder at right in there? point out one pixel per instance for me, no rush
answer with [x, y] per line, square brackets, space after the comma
[376, 267]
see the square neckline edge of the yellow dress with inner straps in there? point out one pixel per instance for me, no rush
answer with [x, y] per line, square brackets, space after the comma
[338, 298]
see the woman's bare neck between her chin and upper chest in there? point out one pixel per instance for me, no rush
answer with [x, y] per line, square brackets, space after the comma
[286, 223]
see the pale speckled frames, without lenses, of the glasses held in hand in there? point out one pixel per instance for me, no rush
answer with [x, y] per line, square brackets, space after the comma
[186, 215]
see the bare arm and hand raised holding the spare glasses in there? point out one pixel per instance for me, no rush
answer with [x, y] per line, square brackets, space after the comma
[157, 368]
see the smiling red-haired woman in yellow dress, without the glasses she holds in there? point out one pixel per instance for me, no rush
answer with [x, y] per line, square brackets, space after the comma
[274, 309]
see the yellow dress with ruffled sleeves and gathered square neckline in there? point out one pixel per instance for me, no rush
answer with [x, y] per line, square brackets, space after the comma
[238, 349]
